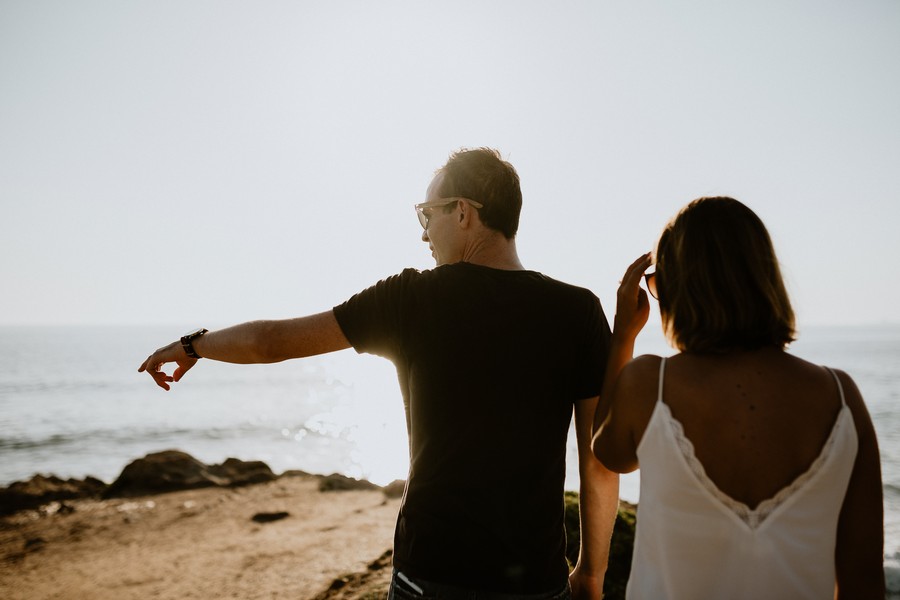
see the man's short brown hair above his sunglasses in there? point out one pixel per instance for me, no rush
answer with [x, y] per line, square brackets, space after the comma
[483, 176]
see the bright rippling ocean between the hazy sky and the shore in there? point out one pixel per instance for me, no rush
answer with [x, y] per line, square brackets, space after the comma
[72, 404]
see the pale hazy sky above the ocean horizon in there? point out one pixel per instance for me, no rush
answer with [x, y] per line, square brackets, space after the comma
[210, 162]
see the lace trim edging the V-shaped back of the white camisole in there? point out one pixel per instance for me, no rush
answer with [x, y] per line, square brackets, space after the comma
[753, 518]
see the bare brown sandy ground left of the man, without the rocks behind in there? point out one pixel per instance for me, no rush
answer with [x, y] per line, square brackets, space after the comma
[203, 543]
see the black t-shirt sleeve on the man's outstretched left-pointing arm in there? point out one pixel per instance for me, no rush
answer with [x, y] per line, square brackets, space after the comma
[372, 320]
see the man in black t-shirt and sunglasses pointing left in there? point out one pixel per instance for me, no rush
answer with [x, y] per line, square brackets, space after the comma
[491, 359]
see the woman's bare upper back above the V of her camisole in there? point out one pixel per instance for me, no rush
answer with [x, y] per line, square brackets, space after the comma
[757, 420]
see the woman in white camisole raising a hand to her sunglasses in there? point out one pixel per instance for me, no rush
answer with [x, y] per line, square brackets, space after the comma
[760, 473]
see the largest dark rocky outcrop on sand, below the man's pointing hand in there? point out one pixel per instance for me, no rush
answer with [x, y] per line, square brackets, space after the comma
[174, 470]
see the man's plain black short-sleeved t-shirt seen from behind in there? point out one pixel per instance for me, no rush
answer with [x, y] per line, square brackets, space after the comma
[490, 363]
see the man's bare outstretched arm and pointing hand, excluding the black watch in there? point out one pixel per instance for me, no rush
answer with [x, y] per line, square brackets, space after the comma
[252, 342]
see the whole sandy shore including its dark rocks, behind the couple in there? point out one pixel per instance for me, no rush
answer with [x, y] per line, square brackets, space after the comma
[171, 526]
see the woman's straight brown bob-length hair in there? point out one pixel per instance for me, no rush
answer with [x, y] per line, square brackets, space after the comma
[718, 280]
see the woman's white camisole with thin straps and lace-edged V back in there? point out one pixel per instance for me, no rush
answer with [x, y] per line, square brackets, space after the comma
[693, 541]
